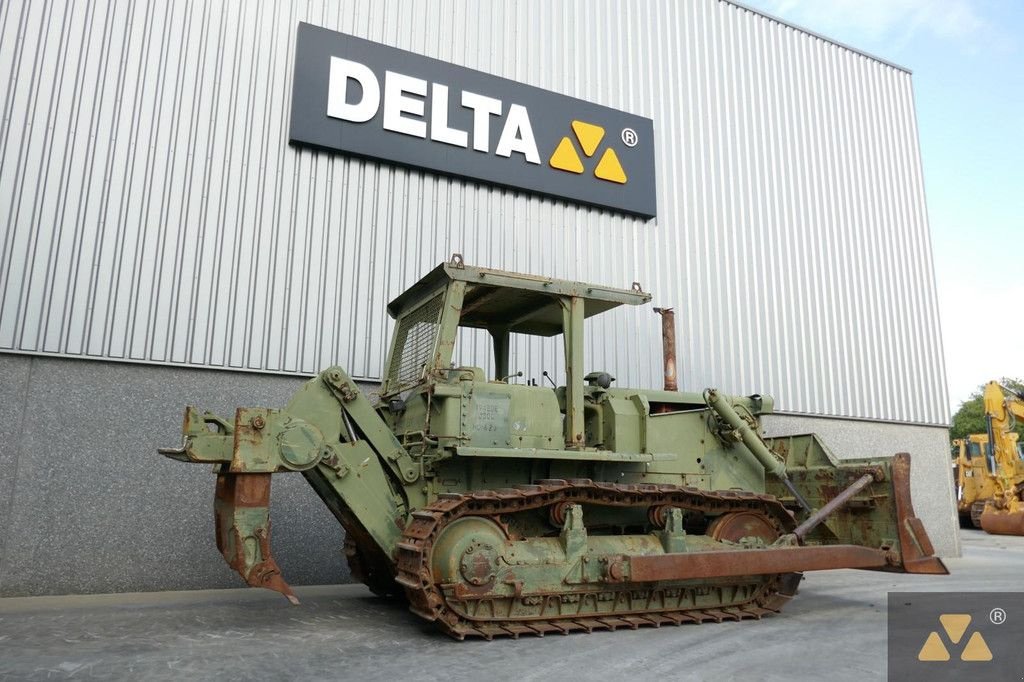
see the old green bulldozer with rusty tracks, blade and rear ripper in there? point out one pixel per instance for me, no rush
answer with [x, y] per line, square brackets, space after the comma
[500, 508]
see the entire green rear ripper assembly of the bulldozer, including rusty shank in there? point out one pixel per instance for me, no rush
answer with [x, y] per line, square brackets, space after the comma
[340, 444]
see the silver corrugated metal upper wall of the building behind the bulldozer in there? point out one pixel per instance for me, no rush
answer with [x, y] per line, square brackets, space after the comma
[153, 211]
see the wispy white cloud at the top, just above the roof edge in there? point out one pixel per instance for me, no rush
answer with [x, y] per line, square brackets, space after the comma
[883, 22]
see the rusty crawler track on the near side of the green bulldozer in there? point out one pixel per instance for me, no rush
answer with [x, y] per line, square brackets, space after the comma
[586, 608]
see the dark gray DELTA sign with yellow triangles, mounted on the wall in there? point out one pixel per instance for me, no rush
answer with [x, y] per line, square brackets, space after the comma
[364, 99]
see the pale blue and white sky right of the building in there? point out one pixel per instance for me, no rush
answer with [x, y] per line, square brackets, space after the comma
[968, 64]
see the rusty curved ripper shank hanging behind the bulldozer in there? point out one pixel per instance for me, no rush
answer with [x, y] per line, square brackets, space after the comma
[243, 518]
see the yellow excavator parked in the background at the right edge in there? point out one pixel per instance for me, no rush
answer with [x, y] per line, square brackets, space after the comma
[991, 466]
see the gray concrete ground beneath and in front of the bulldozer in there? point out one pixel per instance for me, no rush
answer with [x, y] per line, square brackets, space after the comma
[835, 628]
